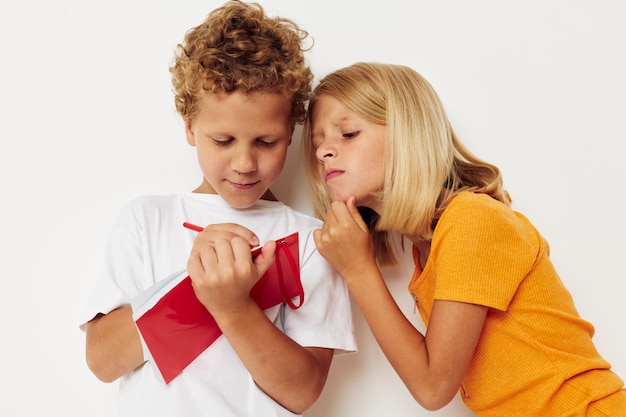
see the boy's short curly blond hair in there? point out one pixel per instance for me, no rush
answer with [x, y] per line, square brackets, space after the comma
[238, 47]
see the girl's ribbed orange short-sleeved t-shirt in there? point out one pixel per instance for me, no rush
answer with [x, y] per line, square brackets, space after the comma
[535, 356]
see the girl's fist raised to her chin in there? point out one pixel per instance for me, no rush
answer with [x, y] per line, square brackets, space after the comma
[344, 240]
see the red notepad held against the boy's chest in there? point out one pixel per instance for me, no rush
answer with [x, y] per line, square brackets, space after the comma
[178, 327]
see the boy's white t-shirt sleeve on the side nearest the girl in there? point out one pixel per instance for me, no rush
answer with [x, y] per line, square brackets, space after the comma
[325, 318]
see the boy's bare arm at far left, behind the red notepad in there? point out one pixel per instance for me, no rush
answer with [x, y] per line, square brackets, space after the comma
[113, 346]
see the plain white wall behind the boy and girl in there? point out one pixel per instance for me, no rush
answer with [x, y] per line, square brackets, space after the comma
[87, 123]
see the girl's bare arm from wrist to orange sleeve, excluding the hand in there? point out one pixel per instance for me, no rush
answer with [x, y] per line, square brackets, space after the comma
[432, 366]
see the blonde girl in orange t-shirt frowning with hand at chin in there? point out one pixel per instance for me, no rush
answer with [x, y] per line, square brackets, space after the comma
[502, 329]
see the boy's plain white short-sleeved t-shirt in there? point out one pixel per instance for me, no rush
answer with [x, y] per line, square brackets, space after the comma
[148, 243]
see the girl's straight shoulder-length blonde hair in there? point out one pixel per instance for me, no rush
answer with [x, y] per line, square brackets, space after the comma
[426, 164]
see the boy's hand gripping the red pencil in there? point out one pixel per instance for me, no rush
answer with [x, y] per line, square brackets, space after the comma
[223, 272]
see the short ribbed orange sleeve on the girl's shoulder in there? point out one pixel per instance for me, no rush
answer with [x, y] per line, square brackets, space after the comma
[482, 251]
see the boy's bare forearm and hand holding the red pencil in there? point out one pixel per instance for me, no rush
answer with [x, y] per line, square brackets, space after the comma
[222, 274]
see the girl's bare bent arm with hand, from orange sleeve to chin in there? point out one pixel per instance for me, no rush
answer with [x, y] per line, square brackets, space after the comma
[431, 366]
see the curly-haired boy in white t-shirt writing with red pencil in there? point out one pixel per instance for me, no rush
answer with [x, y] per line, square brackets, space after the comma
[240, 83]
